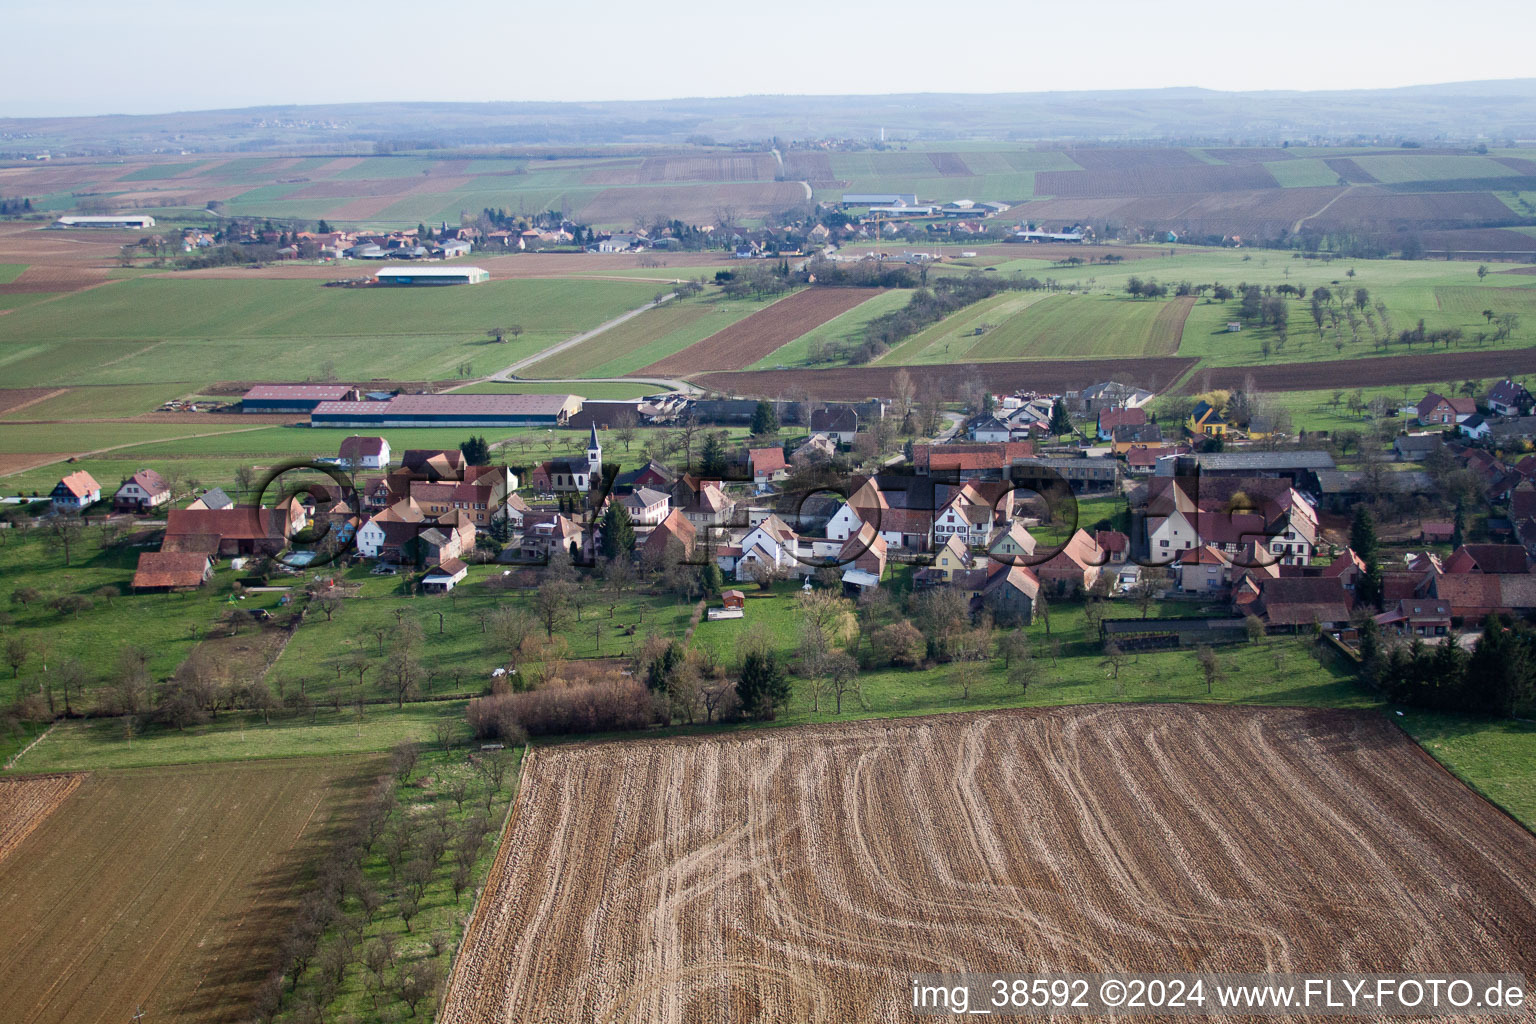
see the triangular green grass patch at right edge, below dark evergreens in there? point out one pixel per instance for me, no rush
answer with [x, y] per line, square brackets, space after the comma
[1494, 756]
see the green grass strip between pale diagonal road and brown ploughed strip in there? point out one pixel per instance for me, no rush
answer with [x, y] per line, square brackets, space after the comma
[647, 339]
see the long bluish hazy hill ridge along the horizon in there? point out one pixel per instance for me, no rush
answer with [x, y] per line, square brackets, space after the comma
[1498, 113]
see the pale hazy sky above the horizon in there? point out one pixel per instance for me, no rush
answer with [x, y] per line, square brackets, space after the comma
[113, 58]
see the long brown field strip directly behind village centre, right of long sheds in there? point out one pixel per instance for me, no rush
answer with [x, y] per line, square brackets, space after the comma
[852, 385]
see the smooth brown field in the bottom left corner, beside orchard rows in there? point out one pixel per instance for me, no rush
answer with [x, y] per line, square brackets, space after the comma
[164, 888]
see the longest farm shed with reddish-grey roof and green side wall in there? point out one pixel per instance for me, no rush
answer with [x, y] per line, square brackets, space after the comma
[451, 411]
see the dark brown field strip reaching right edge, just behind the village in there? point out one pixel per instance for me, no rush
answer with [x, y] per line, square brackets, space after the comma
[1346, 374]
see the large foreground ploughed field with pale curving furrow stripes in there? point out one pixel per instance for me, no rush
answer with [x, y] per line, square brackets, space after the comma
[809, 874]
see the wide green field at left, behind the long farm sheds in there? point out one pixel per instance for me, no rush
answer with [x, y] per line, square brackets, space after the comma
[199, 331]
